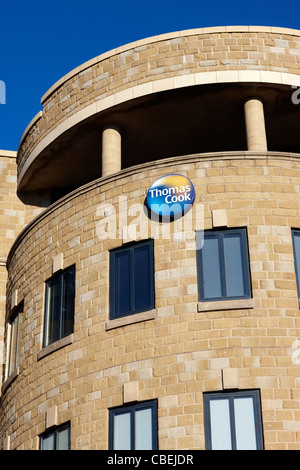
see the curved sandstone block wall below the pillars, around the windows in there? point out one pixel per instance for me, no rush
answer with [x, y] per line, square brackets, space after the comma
[181, 352]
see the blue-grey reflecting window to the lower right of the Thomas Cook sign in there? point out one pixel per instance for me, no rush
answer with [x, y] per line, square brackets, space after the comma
[223, 266]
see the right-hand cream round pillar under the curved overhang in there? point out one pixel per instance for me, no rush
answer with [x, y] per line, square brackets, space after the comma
[255, 125]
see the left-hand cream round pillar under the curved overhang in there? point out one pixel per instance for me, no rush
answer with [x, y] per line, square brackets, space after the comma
[111, 150]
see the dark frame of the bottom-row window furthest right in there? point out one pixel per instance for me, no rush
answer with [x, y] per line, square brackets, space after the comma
[255, 394]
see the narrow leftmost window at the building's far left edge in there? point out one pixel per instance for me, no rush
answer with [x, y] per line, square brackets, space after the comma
[15, 339]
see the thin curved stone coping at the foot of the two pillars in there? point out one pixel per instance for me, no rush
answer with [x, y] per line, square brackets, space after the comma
[163, 163]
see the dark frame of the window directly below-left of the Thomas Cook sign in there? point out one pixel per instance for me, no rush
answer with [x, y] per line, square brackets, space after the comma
[112, 278]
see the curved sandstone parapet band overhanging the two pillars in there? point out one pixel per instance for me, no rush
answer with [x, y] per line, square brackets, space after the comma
[166, 62]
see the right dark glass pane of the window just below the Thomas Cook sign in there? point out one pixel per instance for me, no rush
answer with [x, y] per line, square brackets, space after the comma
[142, 277]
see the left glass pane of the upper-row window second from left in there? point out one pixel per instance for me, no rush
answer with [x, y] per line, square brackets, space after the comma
[53, 312]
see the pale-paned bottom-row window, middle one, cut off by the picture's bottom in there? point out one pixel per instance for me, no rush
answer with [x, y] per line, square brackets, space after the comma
[133, 427]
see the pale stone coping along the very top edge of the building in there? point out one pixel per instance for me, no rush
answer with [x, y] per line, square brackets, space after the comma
[169, 36]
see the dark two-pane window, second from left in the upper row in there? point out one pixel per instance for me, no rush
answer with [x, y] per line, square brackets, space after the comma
[59, 306]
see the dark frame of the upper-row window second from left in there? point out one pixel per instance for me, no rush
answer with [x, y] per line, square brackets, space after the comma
[57, 276]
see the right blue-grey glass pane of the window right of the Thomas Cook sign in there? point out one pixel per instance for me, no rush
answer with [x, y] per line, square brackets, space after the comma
[234, 271]
